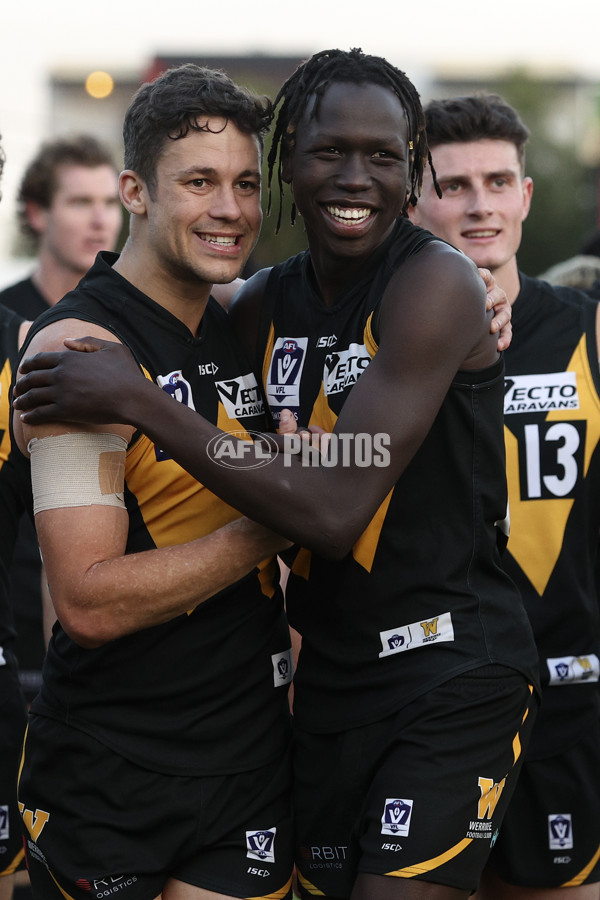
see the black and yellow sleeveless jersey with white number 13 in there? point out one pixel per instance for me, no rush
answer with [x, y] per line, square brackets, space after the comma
[552, 432]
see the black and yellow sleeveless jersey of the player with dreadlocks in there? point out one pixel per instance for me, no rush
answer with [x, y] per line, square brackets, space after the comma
[422, 596]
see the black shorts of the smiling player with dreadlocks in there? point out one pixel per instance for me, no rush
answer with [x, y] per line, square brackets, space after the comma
[420, 794]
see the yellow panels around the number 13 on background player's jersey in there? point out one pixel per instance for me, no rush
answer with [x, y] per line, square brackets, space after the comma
[543, 522]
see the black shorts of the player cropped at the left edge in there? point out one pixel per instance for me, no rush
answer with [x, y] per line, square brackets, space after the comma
[13, 721]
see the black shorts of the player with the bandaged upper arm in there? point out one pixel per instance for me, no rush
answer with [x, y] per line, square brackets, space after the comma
[99, 826]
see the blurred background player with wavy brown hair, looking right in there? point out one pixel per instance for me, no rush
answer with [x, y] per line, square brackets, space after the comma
[68, 210]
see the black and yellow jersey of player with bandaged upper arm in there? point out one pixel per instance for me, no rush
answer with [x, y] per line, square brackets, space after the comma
[205, 693]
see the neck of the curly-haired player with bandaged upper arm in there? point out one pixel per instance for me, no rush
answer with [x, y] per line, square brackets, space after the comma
[186, 301]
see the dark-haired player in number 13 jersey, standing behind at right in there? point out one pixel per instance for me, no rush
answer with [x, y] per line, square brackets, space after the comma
[549, 845]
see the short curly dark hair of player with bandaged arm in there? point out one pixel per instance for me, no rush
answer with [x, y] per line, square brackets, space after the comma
[179, 101]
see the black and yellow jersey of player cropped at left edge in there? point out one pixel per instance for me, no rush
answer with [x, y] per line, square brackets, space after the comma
[11, 480]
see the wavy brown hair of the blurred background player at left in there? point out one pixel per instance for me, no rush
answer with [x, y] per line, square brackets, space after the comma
[40, 180]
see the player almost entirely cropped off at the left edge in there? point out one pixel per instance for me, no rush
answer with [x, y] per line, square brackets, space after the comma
[13, 711]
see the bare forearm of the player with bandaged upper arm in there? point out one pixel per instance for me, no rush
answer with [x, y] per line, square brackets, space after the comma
[120, 595]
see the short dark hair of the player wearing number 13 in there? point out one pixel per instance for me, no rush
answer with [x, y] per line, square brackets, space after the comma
[475, 117]
